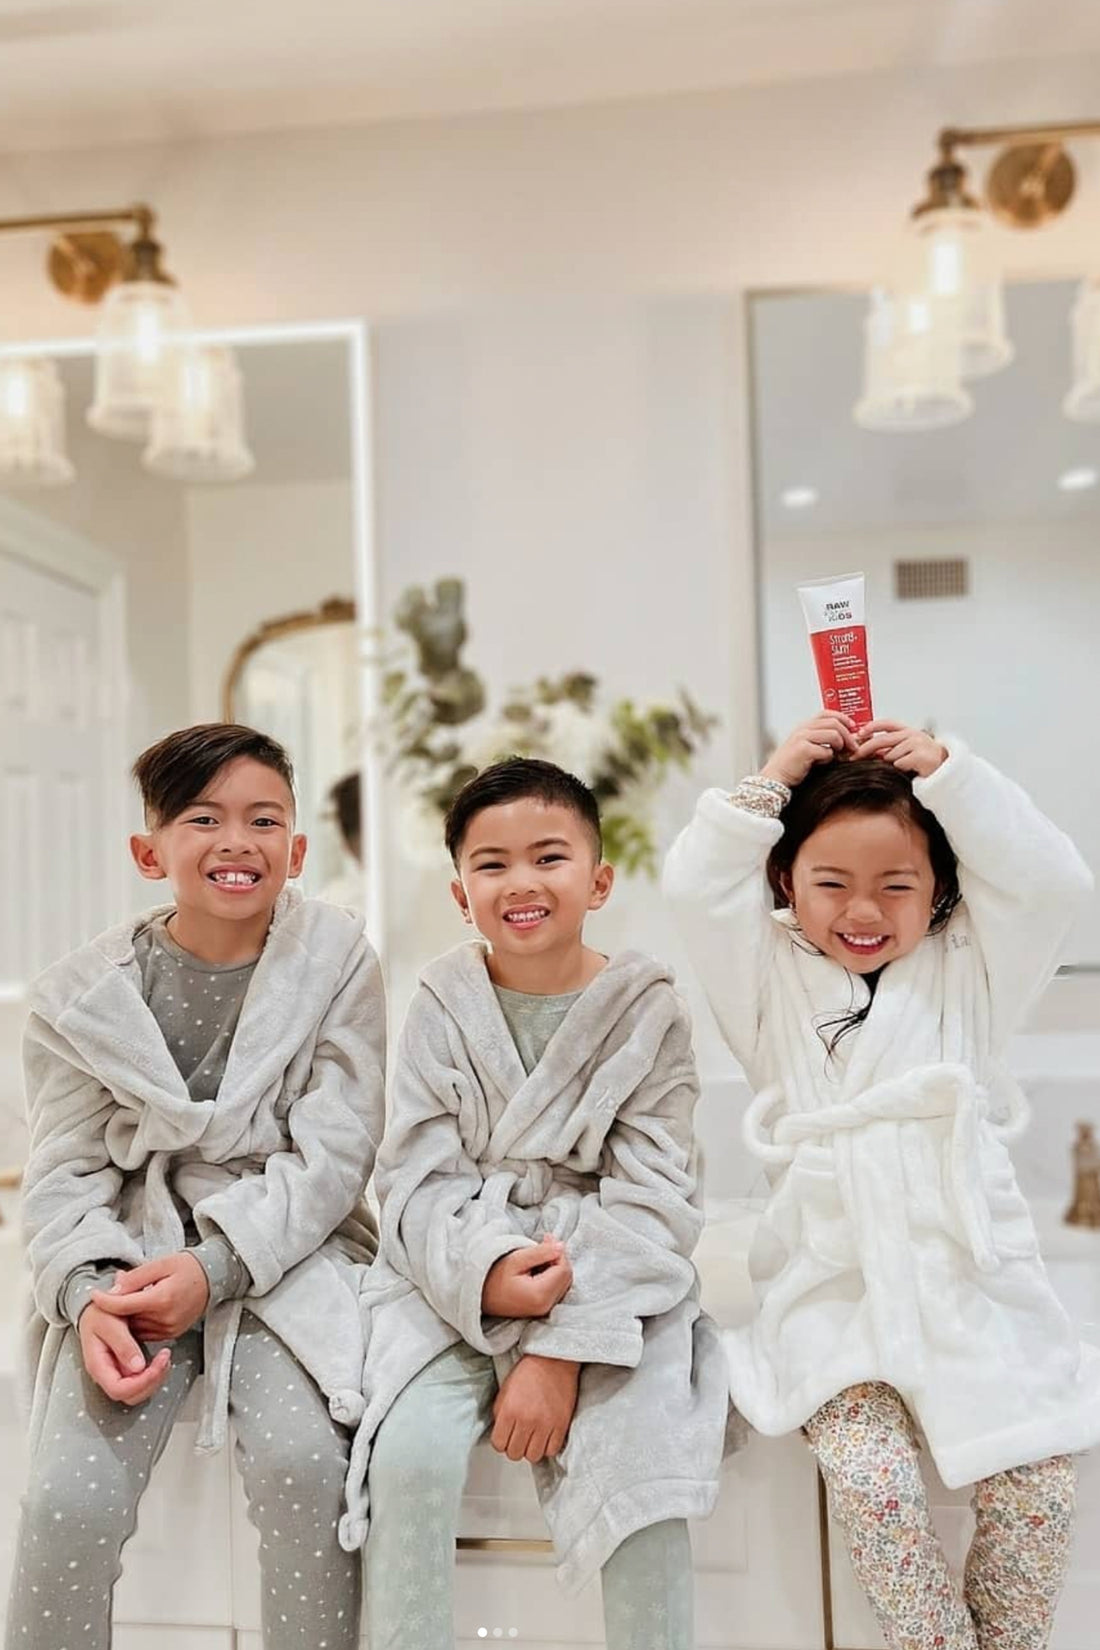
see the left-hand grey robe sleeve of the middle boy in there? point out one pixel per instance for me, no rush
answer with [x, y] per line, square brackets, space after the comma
[435, 1228]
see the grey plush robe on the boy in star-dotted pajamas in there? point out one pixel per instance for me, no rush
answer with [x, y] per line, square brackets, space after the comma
[278, 1162]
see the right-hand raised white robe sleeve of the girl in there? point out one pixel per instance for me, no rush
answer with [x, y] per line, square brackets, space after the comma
[1022, 879]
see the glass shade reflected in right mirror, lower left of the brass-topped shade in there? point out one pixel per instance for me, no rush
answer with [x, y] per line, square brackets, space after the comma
[913, 375]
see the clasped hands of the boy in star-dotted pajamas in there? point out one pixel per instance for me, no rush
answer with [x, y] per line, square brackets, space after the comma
[157, 1301]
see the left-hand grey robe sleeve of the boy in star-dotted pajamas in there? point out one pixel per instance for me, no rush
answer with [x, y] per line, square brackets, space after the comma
[72, 1189]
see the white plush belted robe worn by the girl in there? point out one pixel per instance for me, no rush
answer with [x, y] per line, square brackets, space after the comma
[896, 1245]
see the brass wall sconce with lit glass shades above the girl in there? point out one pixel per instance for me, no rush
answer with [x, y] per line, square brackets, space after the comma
[952, 268]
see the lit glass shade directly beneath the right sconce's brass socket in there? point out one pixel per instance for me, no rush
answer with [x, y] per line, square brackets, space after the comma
[957, 268]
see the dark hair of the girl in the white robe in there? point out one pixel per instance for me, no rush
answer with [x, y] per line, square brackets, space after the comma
[867, 786]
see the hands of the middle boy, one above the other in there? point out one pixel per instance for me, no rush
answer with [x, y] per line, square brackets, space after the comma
[537, 1402]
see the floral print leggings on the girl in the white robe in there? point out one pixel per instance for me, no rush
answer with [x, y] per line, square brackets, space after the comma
[867, 1446]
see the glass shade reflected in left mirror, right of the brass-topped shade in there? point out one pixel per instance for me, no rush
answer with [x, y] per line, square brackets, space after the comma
[199, 428]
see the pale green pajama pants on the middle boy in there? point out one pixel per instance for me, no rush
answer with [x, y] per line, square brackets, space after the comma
[416, 1481]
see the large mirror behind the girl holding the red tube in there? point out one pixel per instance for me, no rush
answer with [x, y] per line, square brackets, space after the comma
[979, 544]
